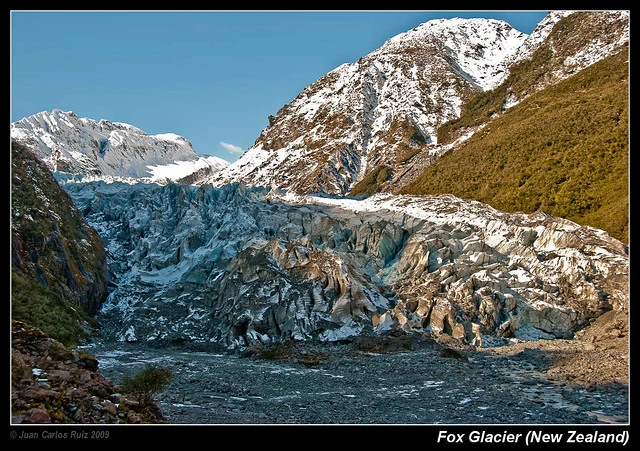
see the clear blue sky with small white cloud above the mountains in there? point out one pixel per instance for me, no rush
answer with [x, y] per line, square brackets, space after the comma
[211, 76]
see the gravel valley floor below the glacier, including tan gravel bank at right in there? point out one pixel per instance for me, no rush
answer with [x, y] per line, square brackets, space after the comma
[395, 380]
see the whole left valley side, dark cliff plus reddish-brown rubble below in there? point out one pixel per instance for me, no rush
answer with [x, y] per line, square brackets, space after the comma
[58, 283]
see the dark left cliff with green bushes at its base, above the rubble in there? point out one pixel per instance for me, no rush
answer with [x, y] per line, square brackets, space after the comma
[58, 262]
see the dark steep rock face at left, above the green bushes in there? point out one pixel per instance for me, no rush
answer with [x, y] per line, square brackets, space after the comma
[50, 240]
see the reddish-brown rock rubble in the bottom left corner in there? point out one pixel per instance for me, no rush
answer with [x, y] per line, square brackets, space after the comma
[51, 383]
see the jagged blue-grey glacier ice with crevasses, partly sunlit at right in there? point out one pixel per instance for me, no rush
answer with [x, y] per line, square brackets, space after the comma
[230, 267]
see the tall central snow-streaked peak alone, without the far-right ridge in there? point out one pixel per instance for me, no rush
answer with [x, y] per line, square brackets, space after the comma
[385, 107]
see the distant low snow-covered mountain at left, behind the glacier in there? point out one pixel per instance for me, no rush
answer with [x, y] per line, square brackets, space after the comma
[102, 149]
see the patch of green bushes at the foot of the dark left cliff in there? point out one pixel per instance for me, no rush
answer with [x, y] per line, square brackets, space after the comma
[42, 308]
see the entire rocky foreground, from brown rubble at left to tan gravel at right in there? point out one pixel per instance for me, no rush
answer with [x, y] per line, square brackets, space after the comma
[396, 379]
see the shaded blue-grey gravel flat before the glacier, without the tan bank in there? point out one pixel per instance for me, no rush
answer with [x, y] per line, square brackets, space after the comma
[347, 386]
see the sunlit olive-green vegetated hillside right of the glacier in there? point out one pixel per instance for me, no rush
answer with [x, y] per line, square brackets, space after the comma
[563, 150]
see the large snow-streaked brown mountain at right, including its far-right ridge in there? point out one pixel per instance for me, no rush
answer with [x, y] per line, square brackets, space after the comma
[384, 110]
